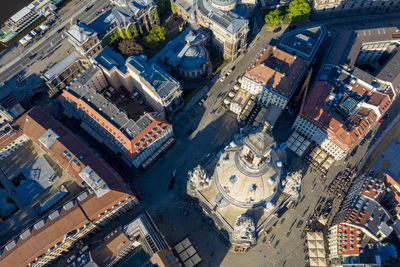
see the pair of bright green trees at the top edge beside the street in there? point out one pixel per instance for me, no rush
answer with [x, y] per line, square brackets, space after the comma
[298, 11]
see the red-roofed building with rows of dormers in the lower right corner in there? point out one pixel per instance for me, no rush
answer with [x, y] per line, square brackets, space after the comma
[367, 214]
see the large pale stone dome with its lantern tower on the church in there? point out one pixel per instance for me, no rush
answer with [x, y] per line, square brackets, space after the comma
[248, 175]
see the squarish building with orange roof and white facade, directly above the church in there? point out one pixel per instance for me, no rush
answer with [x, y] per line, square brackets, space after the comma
[274, 76]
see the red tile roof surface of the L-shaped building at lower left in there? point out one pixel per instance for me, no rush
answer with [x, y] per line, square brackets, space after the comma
[34, 124]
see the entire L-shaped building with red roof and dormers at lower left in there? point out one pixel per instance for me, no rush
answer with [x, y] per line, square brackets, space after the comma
[104, 197]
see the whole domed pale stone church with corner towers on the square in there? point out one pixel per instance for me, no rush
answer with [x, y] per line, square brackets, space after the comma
[244, 190]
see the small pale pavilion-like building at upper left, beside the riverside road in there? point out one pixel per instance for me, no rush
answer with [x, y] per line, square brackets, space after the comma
[84, 39]
